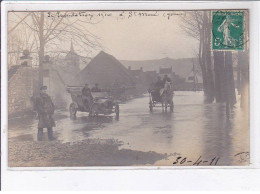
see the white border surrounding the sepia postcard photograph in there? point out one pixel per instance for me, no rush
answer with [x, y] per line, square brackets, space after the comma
[136, 177]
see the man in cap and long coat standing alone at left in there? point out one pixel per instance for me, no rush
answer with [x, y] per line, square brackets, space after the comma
[45, 110]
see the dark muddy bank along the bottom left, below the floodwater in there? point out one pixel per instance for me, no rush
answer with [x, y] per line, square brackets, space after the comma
[85, 153]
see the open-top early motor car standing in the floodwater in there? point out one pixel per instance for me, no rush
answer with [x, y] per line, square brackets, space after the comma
[101, 103]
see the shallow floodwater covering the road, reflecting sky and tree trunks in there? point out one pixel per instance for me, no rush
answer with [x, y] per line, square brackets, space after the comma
[194, 133]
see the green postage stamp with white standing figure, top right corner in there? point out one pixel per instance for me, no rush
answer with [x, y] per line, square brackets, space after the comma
[228, 30]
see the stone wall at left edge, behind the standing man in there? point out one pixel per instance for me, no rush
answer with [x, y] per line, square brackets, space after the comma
[20, 91]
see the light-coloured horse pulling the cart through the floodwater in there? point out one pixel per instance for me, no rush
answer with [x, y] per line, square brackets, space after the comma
[167, 96]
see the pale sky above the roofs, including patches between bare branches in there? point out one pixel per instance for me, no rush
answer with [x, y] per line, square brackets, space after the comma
[135, 35]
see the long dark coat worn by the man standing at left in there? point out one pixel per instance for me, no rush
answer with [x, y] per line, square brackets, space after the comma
[45, 110]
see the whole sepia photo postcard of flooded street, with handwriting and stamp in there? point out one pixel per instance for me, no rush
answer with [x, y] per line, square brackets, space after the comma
[128, 88]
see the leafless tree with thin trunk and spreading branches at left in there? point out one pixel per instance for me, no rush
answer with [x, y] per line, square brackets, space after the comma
[50, 33]
